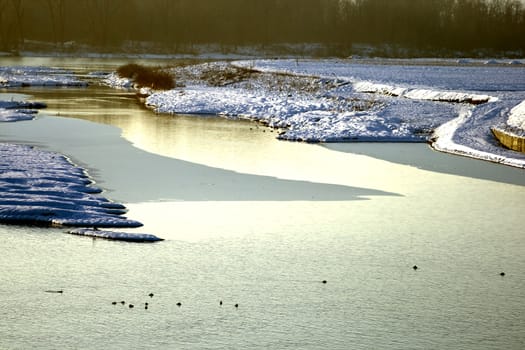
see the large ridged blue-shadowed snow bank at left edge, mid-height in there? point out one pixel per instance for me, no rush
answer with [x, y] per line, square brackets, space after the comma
[40, 187]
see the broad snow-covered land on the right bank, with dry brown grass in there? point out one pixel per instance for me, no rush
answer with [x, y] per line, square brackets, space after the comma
[452, 105]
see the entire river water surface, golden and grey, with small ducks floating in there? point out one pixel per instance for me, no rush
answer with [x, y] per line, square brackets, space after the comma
[252, 221]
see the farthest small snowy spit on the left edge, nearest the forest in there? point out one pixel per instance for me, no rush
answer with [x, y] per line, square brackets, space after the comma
[24, 76]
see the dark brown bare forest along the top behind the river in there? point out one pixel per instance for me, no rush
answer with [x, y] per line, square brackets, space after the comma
[337, 25]
